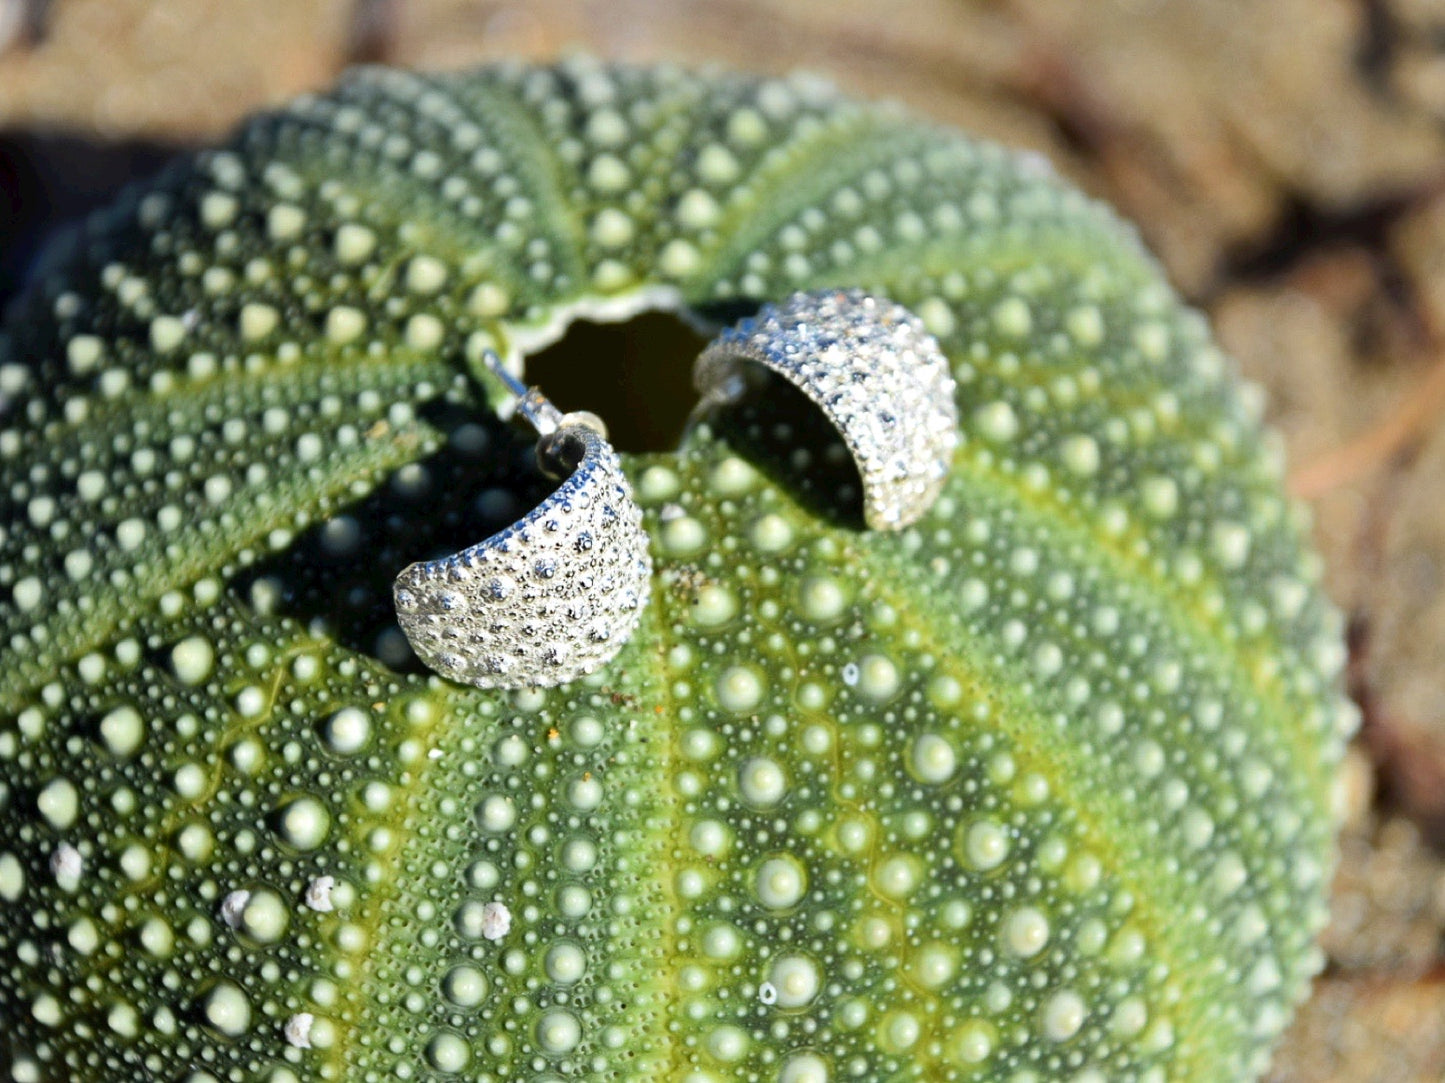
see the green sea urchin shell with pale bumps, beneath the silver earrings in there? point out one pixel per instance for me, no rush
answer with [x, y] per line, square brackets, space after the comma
[1035, 790]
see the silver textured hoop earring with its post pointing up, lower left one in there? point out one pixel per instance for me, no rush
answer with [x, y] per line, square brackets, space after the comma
[556, 595]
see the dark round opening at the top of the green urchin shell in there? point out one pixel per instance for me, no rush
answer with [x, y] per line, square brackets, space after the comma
[637, 375]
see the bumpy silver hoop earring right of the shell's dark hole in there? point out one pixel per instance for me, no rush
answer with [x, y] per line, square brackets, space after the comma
[874, 369]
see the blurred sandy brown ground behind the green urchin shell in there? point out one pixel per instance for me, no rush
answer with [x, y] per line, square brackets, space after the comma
[1285, 158]
